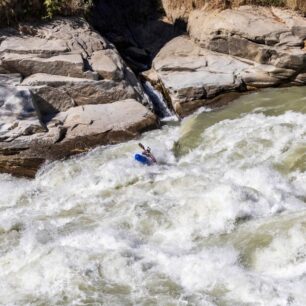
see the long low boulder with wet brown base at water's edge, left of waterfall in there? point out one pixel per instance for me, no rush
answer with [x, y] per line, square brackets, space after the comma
[75, 131]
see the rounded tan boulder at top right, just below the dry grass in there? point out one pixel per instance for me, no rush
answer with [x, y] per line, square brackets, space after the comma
[254, 33]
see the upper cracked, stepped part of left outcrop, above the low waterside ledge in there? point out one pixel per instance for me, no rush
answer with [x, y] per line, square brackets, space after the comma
[68, 48]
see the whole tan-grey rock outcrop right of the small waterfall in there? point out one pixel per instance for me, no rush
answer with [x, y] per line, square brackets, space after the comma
[231, 50]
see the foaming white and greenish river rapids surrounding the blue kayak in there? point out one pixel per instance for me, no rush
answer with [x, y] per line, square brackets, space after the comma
[221, 220]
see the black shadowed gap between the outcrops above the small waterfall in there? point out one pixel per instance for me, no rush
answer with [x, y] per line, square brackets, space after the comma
[138, 29]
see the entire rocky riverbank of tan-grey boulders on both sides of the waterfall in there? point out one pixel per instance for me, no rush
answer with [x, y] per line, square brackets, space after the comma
[64, 88]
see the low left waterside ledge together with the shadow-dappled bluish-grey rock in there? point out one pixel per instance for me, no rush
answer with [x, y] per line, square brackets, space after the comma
[27, 139]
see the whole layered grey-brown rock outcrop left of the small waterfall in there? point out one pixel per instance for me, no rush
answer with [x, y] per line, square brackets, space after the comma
[64, 89]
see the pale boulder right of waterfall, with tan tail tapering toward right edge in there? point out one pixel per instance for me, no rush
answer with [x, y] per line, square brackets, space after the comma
[190, 75]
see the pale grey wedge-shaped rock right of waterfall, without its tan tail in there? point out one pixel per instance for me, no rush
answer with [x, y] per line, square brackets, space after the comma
[189, 73]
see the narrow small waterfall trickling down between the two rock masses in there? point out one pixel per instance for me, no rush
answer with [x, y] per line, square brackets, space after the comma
[159, 104]
